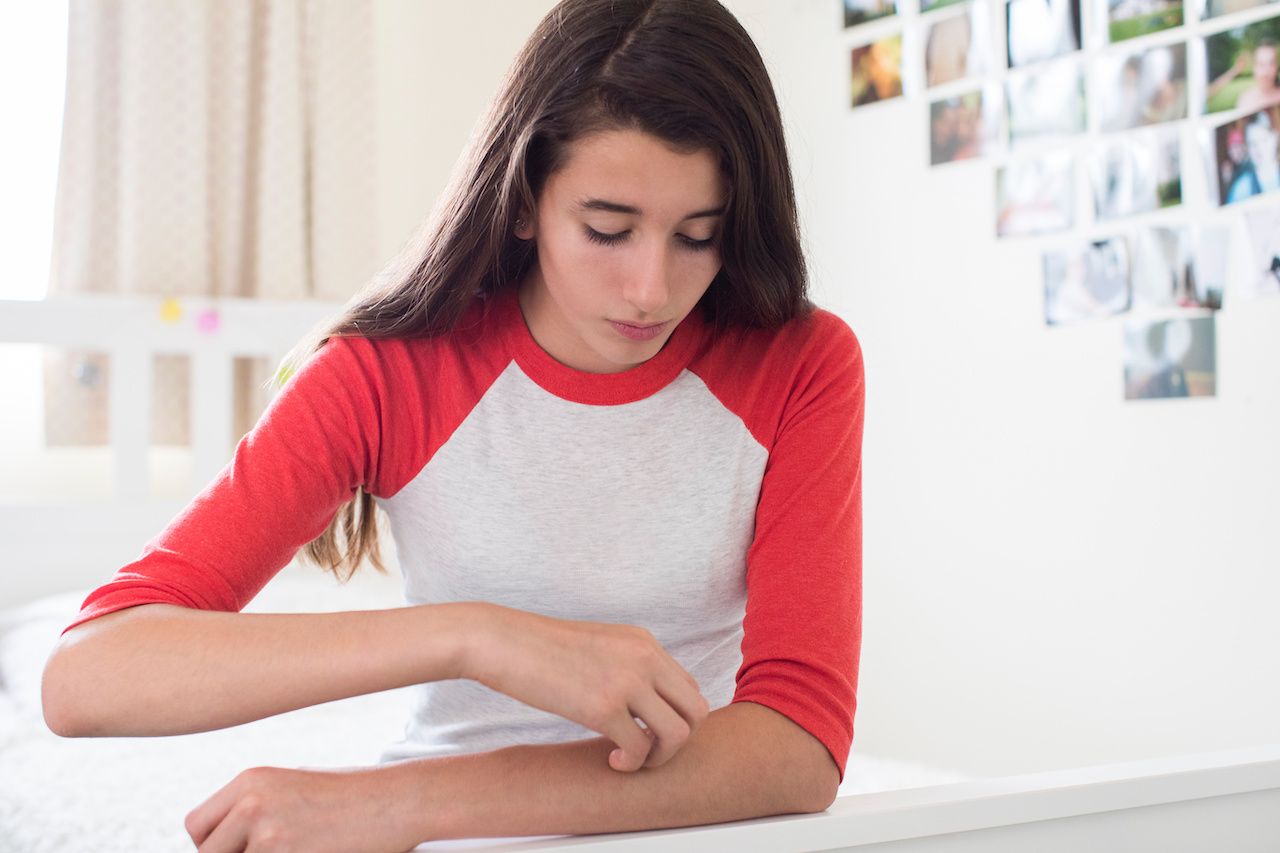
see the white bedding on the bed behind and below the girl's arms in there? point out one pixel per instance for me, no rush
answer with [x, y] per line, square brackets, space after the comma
[131, 795]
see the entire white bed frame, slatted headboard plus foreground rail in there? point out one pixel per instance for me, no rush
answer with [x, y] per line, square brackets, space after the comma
[1228, 801]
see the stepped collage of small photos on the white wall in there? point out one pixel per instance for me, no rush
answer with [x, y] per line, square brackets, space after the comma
[1124, 97]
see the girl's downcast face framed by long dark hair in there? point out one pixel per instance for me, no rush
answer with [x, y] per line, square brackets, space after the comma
[623, 235]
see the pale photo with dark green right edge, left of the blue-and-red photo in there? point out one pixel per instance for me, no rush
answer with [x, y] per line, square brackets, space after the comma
[1136, 174]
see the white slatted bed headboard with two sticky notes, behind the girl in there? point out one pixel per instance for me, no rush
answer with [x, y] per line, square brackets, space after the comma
[70, 545]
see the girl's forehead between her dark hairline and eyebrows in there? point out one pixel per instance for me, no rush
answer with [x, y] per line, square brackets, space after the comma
[642, 171]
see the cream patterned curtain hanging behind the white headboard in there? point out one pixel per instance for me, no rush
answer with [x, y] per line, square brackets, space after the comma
[213, 148]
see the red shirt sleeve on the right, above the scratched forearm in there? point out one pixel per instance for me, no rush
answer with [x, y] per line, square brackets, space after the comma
[803, 626]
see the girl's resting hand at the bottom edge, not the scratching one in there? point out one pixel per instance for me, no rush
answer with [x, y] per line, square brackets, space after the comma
[272, 809]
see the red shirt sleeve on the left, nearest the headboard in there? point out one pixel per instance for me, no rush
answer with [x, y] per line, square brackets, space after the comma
[317, 443]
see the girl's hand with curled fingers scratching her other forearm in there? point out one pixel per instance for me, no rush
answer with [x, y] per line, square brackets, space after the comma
[597, 674]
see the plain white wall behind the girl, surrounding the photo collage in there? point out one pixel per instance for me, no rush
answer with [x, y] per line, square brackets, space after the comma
[1053, 577]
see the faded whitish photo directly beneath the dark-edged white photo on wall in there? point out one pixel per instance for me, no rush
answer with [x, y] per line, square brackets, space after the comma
[1046, 102]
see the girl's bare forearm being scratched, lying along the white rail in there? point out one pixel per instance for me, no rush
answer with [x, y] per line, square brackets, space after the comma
[746, 761]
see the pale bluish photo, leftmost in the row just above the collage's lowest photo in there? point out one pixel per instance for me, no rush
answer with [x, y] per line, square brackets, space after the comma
[1087, 282]
